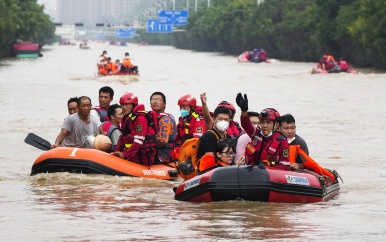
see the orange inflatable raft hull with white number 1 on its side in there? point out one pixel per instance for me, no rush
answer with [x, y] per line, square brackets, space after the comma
[92, 161]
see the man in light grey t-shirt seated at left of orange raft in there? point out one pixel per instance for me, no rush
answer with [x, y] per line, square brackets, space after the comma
[78, 126]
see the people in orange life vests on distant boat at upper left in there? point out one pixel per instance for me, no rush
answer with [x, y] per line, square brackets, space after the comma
[107, 67]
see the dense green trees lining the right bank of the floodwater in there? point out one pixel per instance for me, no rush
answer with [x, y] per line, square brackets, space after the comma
[300, 30]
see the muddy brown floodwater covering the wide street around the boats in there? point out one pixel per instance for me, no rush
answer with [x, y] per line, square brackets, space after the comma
[341, 117]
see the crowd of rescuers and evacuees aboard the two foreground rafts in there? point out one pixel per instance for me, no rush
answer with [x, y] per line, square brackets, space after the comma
[154, 136]
